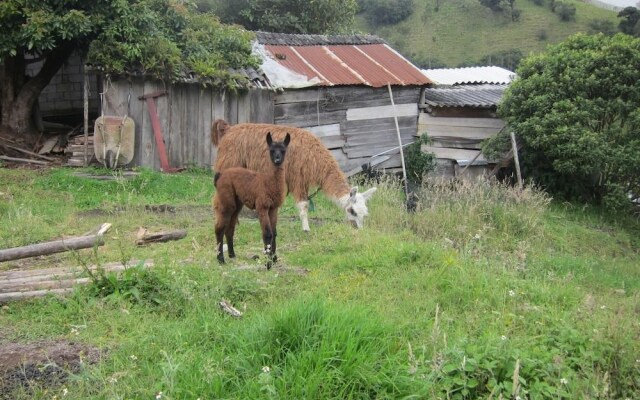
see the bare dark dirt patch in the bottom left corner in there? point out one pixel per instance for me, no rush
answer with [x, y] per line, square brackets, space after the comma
[43, 364]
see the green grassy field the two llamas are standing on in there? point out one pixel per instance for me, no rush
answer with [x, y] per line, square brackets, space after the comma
[481, 286]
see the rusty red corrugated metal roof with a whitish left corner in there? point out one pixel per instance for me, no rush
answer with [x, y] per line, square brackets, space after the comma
[334, 60]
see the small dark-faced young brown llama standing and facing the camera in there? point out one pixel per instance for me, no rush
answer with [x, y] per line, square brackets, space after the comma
[260, 191]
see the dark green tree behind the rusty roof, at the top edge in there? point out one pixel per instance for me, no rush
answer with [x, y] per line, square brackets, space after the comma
[294, 16]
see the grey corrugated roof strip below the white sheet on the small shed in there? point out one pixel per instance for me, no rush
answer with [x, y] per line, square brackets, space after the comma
[479, 96]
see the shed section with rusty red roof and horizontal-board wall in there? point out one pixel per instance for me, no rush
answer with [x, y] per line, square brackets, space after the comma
[349, 90]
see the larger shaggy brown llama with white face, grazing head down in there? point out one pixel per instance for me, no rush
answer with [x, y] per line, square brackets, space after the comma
[309, 164]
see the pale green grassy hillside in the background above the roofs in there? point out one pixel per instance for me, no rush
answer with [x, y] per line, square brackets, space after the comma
[462, 32]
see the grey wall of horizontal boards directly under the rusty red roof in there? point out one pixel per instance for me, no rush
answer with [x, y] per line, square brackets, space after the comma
[355, 123]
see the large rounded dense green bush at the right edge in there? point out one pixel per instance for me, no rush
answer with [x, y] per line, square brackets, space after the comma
[576, 111]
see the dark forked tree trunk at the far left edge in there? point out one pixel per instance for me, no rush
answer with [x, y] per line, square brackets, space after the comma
[19, 94]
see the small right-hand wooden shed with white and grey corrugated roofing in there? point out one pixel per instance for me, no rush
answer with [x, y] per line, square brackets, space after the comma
[458, 113]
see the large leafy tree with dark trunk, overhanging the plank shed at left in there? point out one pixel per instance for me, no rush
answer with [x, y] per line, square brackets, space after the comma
[161, 38]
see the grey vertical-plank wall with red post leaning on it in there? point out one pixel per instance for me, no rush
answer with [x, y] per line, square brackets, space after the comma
[185, 115]
